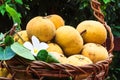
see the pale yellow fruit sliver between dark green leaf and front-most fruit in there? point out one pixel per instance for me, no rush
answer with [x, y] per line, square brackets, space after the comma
[60, 57]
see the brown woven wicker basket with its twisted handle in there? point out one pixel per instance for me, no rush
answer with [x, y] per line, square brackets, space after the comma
[39, 70]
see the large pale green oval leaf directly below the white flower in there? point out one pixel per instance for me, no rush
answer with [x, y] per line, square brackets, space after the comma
[22, 51]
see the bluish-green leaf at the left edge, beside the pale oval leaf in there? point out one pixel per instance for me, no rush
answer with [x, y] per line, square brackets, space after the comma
[6, 54]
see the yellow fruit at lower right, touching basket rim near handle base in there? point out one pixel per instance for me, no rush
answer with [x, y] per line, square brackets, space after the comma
[95, 52]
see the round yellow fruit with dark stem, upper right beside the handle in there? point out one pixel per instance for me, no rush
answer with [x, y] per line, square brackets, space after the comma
[95, 31]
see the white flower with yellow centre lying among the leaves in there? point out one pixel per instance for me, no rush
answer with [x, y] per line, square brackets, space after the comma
[36, 45]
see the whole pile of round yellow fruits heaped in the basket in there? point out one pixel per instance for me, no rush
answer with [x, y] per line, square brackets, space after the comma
[76, 45]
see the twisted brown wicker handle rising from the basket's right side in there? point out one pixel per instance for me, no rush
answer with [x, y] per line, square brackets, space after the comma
[95, 5]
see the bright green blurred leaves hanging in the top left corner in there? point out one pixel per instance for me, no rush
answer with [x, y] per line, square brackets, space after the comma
[9, 7]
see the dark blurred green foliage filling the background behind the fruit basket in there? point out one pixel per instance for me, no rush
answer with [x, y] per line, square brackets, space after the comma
[73, 12]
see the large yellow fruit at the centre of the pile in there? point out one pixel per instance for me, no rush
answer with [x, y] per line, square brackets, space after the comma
[69, 39]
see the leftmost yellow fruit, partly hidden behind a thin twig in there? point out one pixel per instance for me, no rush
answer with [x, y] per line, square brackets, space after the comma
[21, 37]
